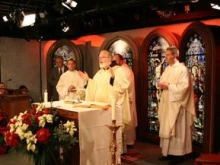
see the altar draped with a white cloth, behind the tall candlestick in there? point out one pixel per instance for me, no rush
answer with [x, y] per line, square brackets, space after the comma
[94, 135]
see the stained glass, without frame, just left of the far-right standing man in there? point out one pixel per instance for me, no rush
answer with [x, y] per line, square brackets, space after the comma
[156, 65]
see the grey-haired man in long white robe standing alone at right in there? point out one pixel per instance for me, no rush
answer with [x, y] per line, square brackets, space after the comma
[176, 111]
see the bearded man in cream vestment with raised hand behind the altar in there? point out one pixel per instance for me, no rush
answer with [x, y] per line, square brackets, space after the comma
[99, 88]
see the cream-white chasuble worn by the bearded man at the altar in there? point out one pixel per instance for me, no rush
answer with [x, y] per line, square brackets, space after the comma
[99, 89]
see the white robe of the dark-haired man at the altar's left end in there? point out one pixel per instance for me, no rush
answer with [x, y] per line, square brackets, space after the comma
[66, 80]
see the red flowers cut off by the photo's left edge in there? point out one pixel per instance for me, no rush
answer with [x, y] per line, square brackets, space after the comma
[3, 128]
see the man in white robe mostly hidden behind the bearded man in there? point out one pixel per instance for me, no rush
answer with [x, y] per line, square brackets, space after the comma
[126, 70]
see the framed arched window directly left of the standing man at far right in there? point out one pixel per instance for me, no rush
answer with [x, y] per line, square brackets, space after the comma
[152, 65]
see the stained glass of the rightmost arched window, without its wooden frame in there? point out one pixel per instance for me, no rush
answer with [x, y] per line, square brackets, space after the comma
[195, 61]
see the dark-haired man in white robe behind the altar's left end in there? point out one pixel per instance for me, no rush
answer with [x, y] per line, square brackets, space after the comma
[70, 85]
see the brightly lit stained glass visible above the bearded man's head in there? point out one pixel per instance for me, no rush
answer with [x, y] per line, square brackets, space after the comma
[123, 48]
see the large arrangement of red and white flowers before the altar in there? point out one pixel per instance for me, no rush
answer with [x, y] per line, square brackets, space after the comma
[40, 133]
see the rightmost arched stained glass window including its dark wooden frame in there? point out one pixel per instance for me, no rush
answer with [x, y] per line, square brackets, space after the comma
[198, 52]
